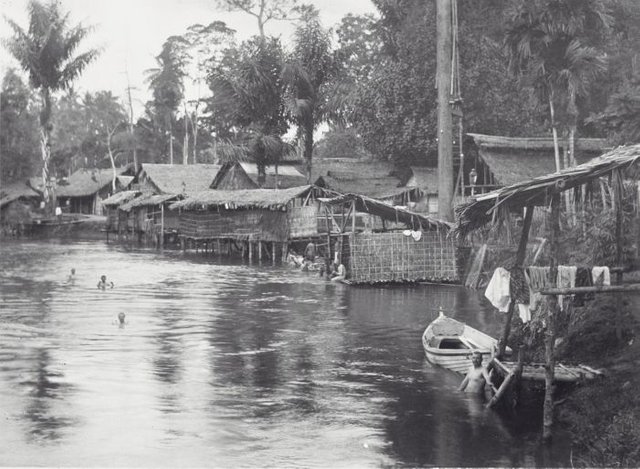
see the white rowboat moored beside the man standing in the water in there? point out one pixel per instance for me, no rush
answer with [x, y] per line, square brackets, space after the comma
[450, 343]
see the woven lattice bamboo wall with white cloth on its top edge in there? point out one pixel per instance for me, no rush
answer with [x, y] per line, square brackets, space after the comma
[394, 257]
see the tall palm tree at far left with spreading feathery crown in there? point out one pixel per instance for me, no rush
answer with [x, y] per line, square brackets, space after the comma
[46, 52]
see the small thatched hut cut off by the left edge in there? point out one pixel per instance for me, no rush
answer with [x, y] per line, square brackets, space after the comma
[18, 201]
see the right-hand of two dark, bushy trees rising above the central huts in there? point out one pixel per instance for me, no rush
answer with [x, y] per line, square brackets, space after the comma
[308, 70]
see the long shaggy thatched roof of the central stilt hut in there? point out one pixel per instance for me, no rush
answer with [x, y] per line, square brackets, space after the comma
[241, 199]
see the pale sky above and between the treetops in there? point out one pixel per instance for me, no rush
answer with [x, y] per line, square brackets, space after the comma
[130, 34]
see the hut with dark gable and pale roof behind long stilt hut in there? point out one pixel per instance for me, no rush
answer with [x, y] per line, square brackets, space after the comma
[245, 175]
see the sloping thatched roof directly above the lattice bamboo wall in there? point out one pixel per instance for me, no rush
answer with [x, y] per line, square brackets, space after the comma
[389, 212]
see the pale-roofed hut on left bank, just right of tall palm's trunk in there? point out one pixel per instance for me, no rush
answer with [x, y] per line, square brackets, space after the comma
[84, 190]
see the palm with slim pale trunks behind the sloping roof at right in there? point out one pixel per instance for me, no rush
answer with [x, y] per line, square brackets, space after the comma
[548, 45]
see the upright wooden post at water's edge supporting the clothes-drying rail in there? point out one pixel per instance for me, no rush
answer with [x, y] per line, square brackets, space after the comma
[552, 312]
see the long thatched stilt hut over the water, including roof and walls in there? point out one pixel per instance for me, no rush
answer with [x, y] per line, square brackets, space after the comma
[264, 218]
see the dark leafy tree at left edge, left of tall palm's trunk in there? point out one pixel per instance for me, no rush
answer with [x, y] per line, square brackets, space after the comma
[19, 146]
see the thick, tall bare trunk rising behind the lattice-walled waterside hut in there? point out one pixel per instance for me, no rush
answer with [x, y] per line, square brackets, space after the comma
[445, 121]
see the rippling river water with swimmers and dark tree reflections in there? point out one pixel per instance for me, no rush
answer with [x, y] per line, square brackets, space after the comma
[231, 365]
